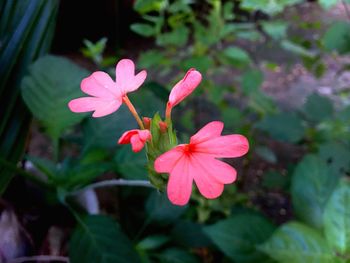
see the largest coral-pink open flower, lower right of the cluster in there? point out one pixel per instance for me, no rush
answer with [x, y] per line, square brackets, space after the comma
[197, 161]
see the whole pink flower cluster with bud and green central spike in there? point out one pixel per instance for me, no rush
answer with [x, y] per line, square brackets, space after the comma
[179, 165]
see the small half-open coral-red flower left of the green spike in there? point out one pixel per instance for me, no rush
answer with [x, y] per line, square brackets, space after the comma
[137, 138]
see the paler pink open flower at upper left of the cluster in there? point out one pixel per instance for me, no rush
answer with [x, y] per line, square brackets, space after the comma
[106, 94]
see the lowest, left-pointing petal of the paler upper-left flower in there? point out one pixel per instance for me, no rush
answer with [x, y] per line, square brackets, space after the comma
[102, 107]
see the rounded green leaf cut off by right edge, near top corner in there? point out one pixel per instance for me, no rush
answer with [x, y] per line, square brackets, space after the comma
[337, 37]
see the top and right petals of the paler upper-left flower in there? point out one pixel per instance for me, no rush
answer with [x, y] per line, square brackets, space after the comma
[125, 76]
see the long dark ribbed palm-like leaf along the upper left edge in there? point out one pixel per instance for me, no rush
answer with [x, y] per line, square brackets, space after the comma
[26, 30]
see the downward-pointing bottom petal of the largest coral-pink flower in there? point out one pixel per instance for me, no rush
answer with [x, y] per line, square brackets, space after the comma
[179, 186]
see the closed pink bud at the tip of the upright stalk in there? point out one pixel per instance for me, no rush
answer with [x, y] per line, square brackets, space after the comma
[184, 87]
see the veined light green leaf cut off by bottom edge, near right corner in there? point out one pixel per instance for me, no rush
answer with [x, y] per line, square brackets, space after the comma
[297, 243]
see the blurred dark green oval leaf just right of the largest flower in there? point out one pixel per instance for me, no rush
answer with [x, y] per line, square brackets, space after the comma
[283, 126]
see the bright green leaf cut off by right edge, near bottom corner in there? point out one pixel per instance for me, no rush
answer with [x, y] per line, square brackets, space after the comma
[337, 219]
